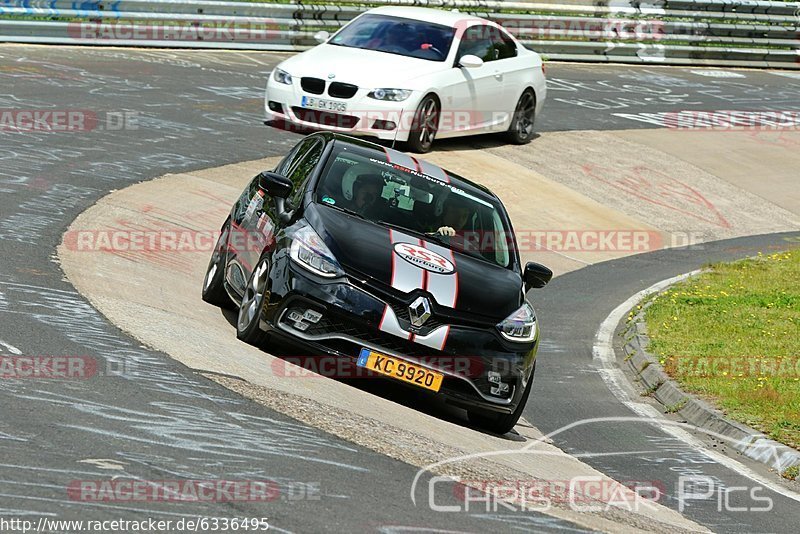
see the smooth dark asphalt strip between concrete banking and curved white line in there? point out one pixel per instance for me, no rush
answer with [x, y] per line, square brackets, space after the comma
[572, 391]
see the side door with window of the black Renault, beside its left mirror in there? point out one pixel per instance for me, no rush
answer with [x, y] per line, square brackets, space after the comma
[256, 218]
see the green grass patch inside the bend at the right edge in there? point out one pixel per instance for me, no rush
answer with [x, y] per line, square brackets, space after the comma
[732, 336]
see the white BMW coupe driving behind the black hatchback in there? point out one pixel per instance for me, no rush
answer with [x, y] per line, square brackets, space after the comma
[412, 75]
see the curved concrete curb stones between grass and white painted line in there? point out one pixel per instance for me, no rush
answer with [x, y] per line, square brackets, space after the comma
[748, 441]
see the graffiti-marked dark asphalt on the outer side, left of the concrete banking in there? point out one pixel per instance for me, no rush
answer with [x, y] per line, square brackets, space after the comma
[150, 418]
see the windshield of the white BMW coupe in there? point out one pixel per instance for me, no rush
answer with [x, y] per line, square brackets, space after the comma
[394, 35]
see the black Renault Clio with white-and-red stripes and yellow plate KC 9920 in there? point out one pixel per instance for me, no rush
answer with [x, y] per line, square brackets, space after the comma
[356, 251]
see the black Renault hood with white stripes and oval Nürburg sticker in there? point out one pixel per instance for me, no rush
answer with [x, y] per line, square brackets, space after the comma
[363, 248]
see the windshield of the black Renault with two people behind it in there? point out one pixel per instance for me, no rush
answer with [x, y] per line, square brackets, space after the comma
[364, 183]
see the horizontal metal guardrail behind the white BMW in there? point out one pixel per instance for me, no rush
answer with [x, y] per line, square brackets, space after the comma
[685, 32]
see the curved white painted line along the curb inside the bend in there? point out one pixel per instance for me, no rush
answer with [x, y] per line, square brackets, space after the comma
[603, 354]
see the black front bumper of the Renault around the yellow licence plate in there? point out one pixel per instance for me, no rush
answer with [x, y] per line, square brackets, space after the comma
[350, 321]
